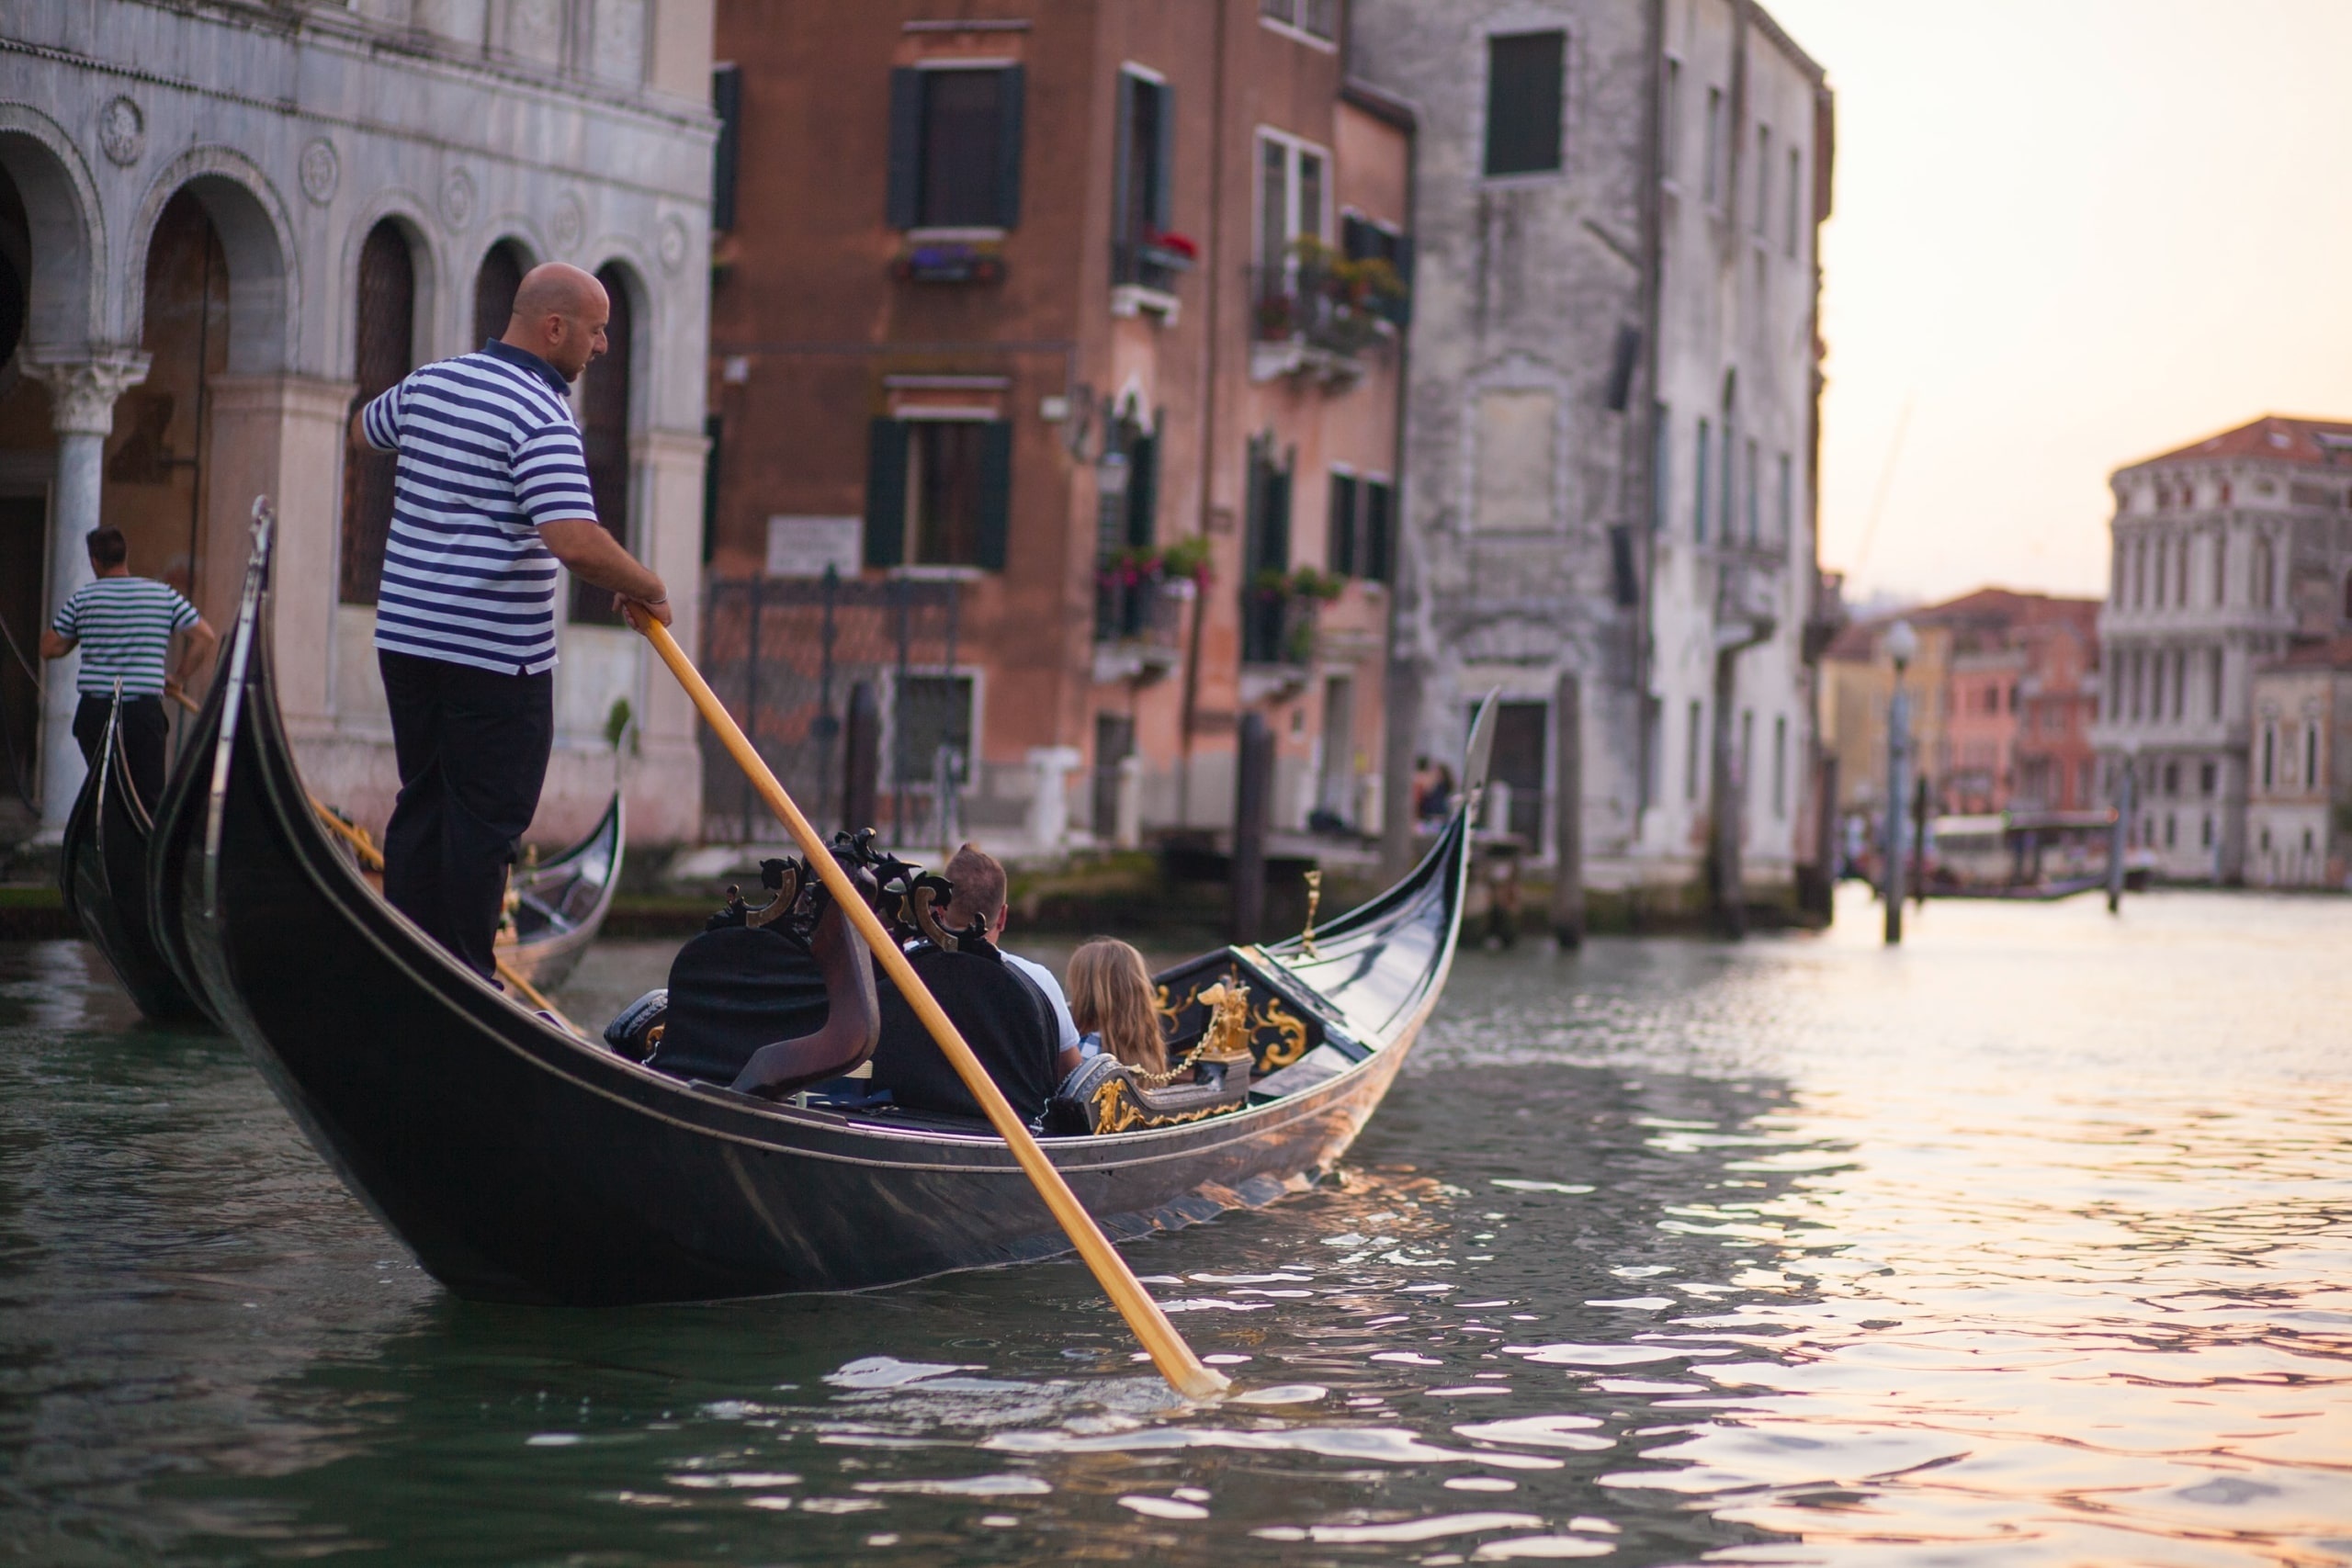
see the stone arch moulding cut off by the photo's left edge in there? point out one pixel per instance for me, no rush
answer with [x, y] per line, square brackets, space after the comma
[67, 264]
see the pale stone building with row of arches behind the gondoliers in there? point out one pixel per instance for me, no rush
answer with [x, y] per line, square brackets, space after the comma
[225, 222]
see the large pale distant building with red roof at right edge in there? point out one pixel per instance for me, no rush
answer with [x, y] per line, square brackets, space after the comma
[2226, 554]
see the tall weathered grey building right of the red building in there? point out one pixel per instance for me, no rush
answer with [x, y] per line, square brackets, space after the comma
[1612, 415]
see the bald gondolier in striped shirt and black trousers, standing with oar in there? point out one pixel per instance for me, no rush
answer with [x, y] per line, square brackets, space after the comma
[488, 497]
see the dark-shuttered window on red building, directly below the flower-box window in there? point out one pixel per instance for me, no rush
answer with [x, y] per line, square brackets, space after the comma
[937, 492]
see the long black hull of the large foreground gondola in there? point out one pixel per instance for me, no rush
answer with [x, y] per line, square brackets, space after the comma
[528, 1165]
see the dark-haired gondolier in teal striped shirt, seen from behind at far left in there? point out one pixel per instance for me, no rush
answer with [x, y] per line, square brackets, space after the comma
[126, 626]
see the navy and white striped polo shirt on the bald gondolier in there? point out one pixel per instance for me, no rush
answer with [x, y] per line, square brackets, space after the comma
[488, 453]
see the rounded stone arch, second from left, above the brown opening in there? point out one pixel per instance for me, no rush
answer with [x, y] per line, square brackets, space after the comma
[258, 241]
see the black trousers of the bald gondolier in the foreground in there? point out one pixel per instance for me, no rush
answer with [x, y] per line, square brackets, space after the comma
[474, 756]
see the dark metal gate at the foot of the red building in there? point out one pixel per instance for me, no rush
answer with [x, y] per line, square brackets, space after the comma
[784, 655]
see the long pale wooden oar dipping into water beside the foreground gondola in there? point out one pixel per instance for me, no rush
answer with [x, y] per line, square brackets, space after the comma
[1125, 1292]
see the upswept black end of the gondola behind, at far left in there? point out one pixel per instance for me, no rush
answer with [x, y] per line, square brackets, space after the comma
[102, 873]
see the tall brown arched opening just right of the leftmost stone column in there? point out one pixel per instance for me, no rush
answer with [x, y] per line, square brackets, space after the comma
[159, 450]
